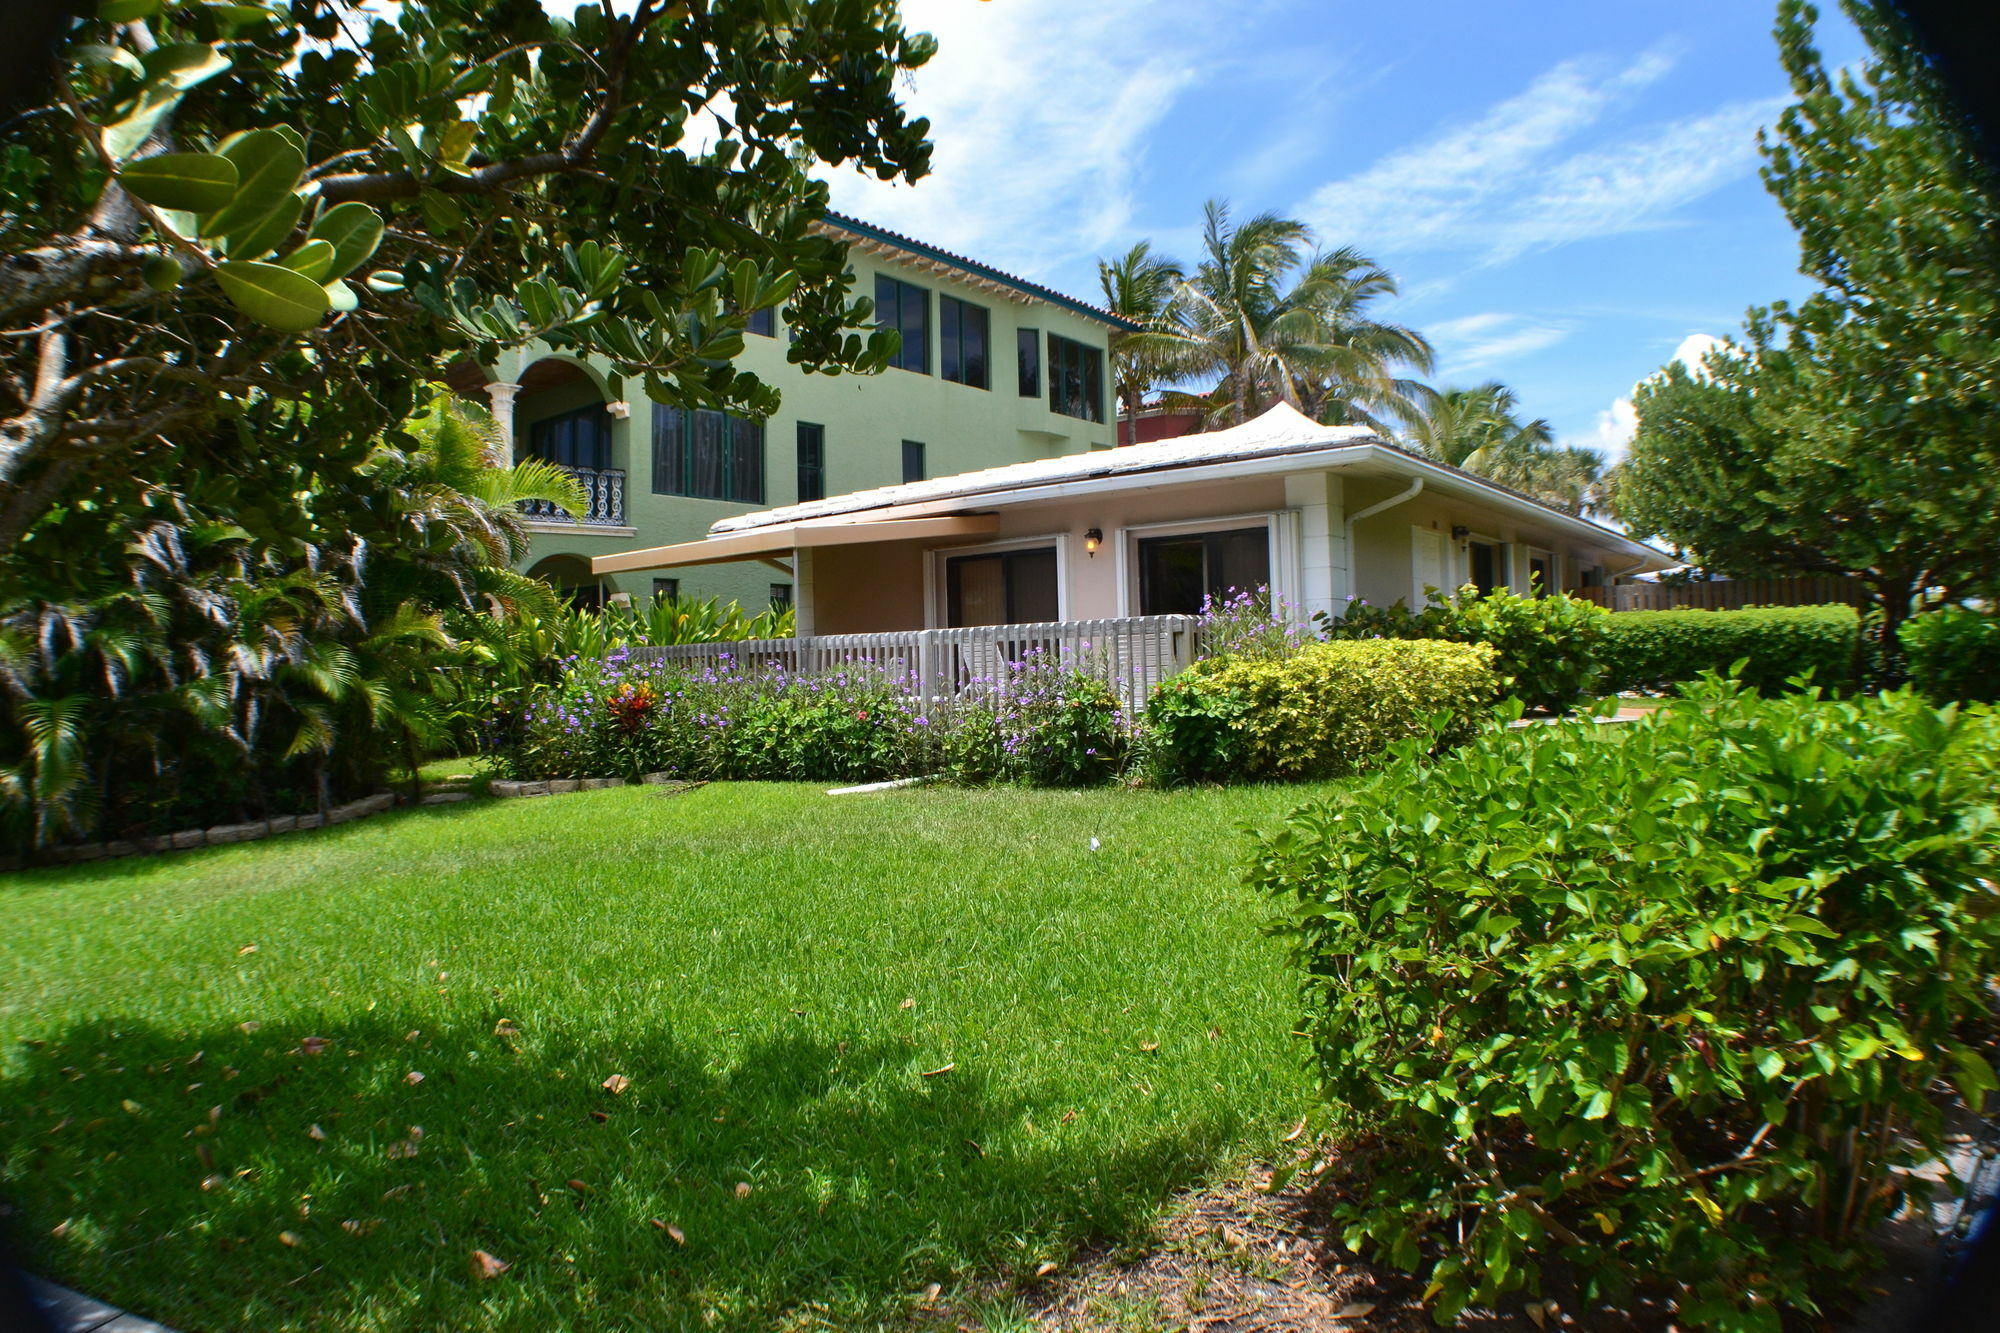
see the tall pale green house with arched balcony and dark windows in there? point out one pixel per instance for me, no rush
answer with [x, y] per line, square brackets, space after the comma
[993, 371]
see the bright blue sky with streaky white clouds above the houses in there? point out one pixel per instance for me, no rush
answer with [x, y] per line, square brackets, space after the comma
[1567, 191]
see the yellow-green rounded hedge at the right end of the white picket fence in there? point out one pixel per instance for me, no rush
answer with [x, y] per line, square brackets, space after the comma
[1327, 712]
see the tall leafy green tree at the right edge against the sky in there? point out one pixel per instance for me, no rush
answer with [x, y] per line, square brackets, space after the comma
[1851, 433]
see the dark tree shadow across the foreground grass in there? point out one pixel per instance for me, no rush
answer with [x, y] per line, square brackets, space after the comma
[229, 1180]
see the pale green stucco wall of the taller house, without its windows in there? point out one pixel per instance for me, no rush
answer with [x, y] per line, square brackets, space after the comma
[867, 421]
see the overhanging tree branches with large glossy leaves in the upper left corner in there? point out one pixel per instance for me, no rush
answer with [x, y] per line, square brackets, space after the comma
[227, 211]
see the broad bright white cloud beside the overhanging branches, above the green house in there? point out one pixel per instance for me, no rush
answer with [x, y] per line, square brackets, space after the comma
[1039, 115]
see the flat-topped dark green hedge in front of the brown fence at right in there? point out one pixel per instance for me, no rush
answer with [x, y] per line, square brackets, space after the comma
[1657, 649]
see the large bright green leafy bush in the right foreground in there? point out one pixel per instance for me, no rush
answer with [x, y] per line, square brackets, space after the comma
[1663, 1004]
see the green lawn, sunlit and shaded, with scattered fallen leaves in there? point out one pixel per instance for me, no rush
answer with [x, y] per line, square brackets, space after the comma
[747, 956]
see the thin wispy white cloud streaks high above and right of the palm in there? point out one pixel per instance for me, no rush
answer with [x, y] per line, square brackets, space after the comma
[1523, 179]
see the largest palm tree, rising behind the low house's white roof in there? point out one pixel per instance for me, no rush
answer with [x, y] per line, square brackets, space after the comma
[1275, 323]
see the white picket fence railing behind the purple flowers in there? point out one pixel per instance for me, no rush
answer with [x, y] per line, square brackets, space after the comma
[1131, 653]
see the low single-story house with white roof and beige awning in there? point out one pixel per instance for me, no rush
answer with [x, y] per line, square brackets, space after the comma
[1317, 513]
